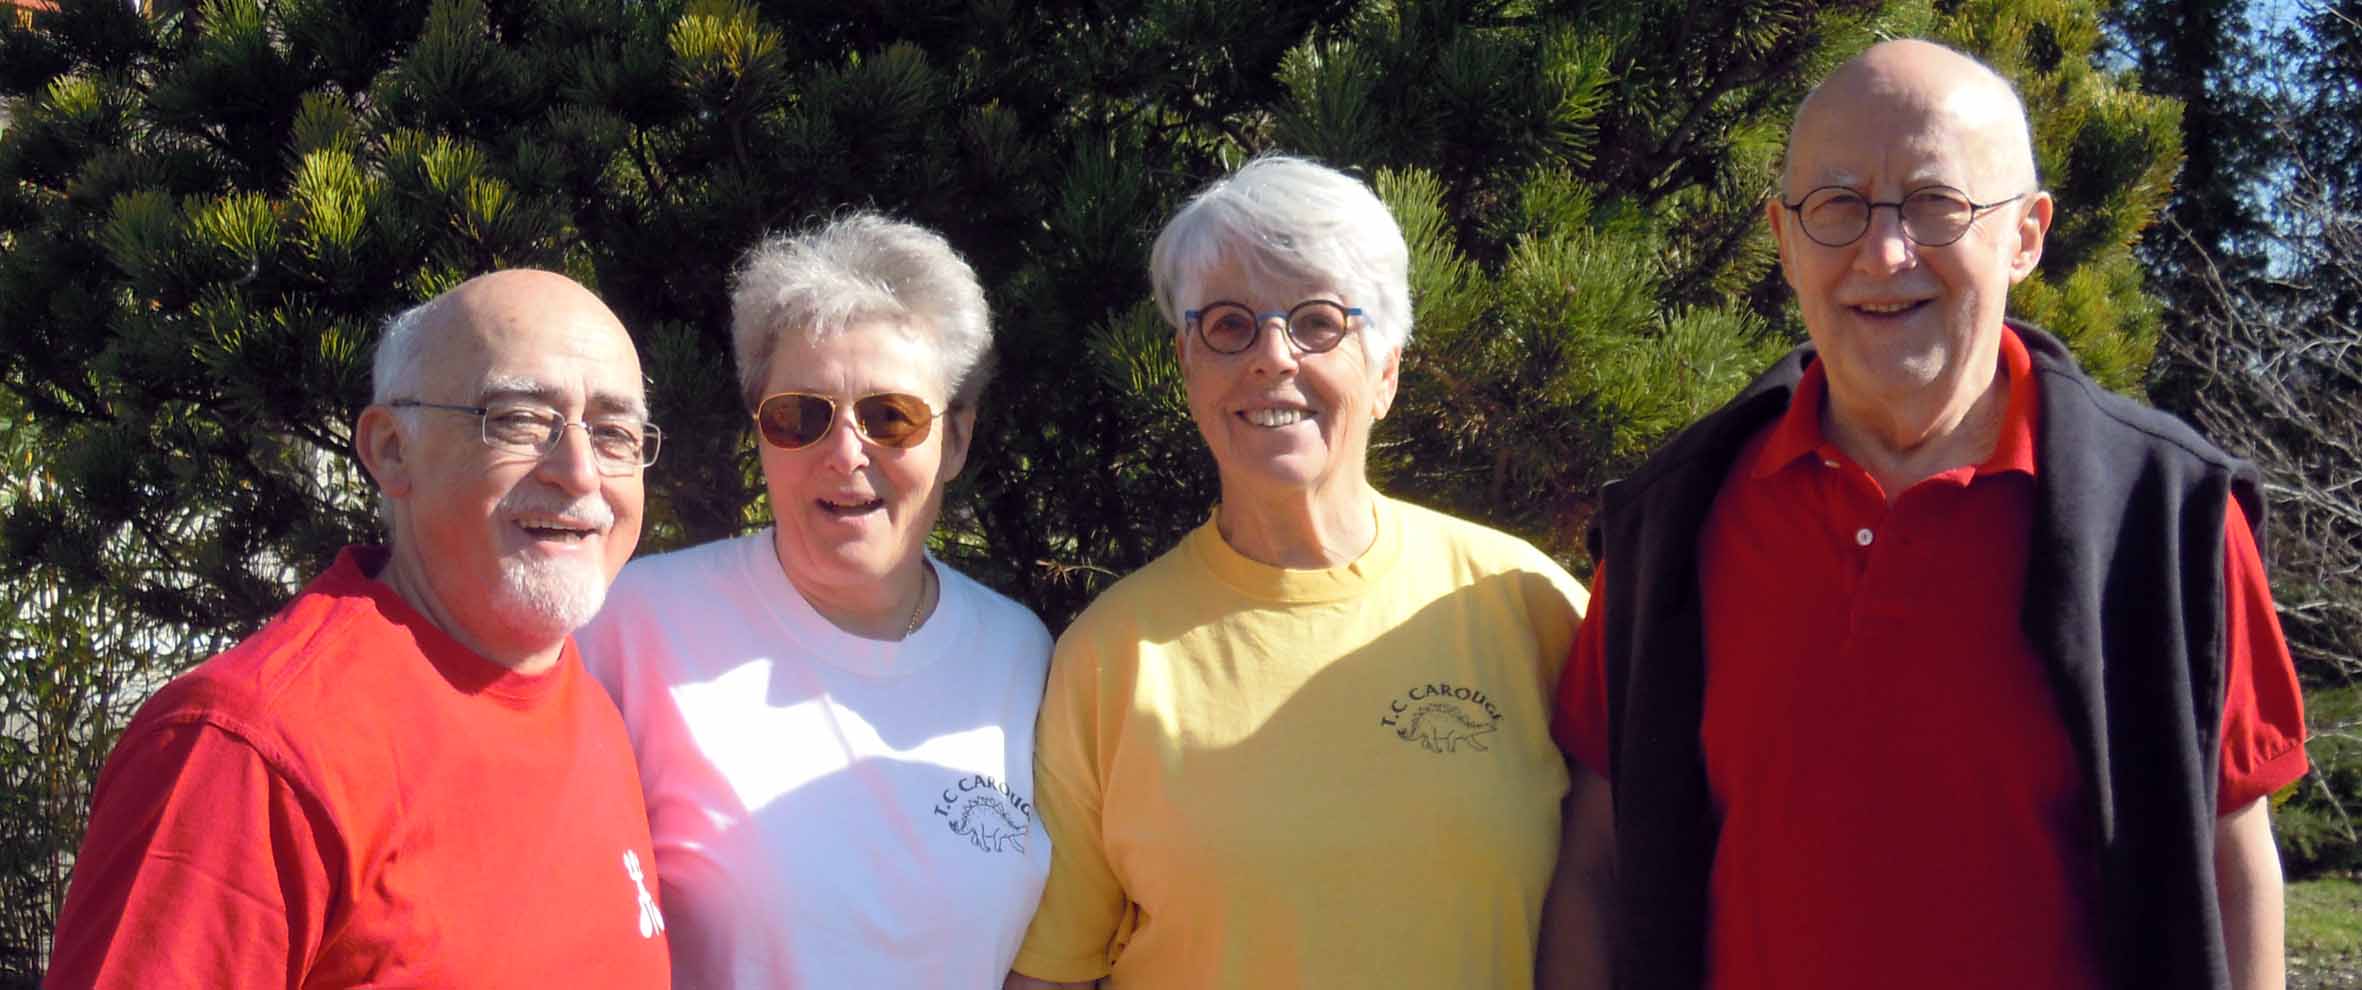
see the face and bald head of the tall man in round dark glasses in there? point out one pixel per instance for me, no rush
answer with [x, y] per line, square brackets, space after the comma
[1900, 325]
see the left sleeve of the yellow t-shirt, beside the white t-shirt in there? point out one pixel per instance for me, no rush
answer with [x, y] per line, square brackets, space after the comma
[1083, 901]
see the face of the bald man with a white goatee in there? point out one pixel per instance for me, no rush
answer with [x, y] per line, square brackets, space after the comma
[504, 549]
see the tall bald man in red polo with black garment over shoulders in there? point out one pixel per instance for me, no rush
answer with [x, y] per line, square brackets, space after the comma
[1924, 663]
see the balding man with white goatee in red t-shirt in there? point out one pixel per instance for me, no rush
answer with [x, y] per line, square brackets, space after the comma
[407, 779]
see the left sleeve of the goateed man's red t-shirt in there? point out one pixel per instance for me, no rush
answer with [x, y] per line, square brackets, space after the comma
[202, 868]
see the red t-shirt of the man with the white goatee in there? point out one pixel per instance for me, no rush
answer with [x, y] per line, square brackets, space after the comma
[351, 797]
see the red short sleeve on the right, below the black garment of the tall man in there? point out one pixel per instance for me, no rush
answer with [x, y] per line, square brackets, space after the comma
[2264, 715]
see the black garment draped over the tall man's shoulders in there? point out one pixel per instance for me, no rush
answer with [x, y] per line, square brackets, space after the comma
[2125, 606]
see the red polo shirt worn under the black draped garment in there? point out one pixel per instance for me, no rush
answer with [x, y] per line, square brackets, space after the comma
[1900, 802]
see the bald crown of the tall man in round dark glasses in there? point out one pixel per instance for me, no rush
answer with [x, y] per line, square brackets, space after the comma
[1966, 100]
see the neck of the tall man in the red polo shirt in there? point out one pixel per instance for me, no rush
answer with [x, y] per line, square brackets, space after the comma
[1905, 443]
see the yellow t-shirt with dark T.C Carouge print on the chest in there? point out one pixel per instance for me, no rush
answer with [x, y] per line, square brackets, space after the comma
[1307, 779]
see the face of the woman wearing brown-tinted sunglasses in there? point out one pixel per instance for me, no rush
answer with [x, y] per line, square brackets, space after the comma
[854, 516]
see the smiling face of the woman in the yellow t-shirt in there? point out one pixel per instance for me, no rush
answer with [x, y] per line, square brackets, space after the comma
[1277, 419]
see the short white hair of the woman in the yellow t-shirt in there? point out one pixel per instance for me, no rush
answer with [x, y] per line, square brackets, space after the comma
[1291, 221]
